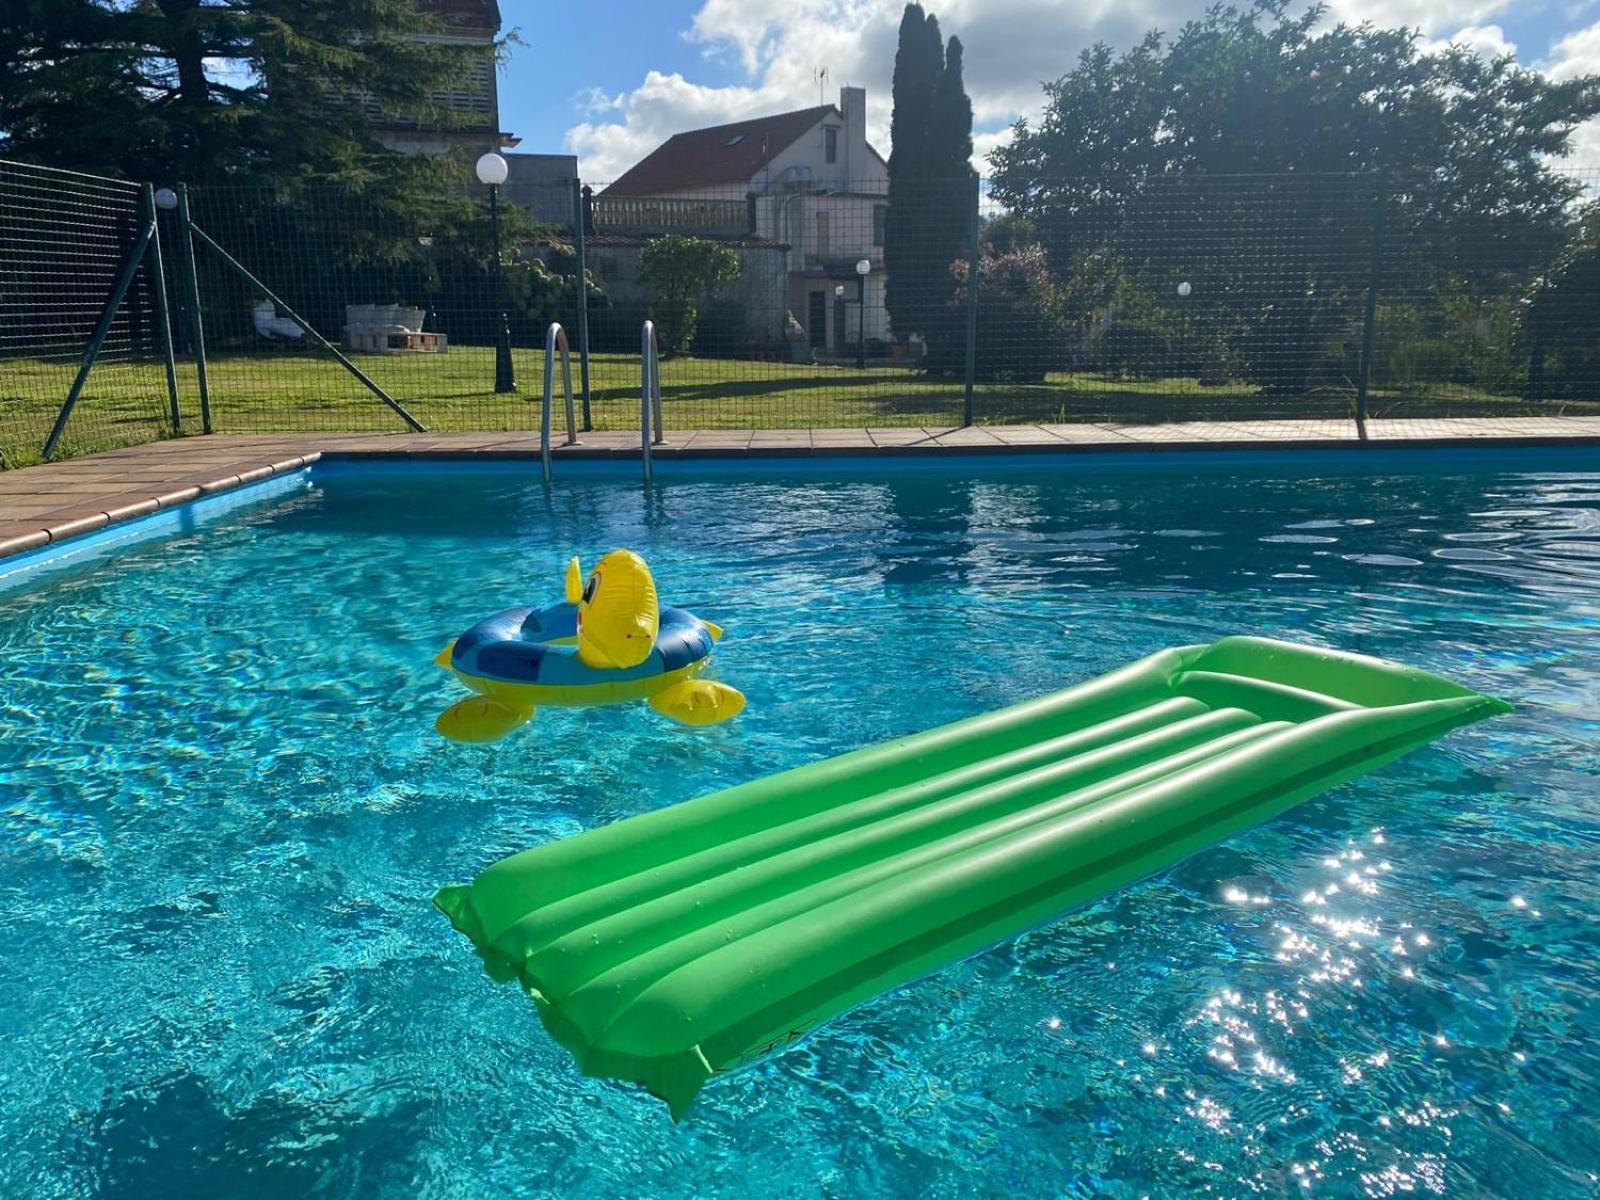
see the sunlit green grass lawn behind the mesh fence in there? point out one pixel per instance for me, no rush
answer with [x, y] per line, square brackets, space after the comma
[311, 393]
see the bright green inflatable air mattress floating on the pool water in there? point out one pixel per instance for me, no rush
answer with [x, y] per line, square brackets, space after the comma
[682, 943]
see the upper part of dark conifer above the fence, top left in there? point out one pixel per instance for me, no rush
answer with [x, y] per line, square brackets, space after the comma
[220, 90]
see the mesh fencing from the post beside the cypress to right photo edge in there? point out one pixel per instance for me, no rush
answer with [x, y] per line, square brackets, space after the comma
[1287, 298]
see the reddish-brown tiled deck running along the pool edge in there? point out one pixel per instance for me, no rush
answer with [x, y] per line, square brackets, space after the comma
[54, 503]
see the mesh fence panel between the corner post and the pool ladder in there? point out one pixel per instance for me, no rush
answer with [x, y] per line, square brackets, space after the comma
[409, 294]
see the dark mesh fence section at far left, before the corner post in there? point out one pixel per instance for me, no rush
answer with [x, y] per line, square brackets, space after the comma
[65, 242]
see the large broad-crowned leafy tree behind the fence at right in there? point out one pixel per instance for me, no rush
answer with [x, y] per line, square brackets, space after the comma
[1255, 158]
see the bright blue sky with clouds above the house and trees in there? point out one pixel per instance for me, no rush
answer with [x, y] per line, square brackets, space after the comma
[631, 73]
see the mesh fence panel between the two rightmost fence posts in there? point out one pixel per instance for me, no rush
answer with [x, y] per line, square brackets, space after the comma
[1177, 300]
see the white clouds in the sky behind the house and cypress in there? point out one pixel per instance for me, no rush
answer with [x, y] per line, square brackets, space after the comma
[1012, 47]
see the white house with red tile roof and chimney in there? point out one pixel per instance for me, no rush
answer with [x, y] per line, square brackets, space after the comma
[804, 180]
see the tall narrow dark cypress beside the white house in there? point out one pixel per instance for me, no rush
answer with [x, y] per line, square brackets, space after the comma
[930, 180]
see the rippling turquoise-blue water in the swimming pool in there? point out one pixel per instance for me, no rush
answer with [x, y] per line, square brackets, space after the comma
[225, 812]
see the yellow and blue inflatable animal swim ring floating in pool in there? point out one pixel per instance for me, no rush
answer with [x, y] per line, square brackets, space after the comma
[609, 642]
